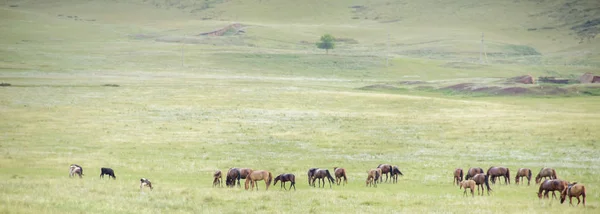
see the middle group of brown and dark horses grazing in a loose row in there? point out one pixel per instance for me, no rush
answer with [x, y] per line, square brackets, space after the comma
[234, 175]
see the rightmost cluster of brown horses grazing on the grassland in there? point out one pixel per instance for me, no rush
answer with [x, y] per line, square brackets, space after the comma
[476, 177]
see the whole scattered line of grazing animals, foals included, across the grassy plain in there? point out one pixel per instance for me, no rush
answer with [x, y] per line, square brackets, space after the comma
[475, 178]
